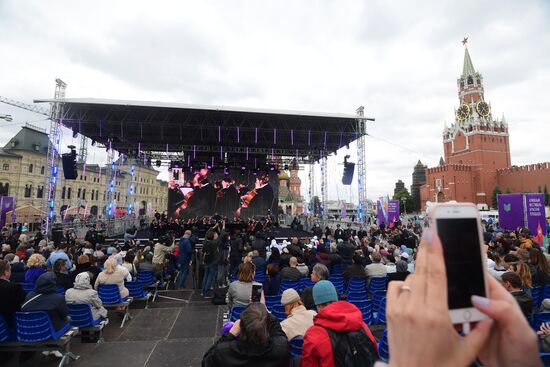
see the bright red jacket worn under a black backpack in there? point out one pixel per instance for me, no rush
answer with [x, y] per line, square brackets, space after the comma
[338, 316]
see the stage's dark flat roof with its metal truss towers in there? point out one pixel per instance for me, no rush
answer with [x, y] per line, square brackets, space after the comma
[194, 137]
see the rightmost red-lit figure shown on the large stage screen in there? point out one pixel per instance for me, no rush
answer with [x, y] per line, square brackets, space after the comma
[259, 200]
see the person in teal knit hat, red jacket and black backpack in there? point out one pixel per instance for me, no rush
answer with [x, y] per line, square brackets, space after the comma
[338, 337]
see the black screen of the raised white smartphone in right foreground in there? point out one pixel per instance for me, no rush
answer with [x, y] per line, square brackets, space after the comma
[460, 240]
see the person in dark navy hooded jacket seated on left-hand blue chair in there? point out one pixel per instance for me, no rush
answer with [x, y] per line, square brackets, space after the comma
[45, 298]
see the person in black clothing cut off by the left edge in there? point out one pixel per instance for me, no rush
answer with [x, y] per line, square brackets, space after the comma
[11, 294]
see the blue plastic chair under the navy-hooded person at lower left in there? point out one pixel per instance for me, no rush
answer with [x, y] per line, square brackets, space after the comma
[34, 327]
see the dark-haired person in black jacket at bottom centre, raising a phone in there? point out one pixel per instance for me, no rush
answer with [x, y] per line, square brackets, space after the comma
[262, 342]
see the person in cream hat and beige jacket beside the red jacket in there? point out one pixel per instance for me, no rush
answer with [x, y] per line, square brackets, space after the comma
[299, 319]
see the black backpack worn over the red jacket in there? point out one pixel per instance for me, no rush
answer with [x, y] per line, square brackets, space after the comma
[352, 348]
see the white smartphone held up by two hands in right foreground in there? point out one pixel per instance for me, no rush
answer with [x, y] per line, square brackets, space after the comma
[459, 228]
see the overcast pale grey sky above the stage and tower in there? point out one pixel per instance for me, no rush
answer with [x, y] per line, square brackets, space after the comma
[400, 59]
